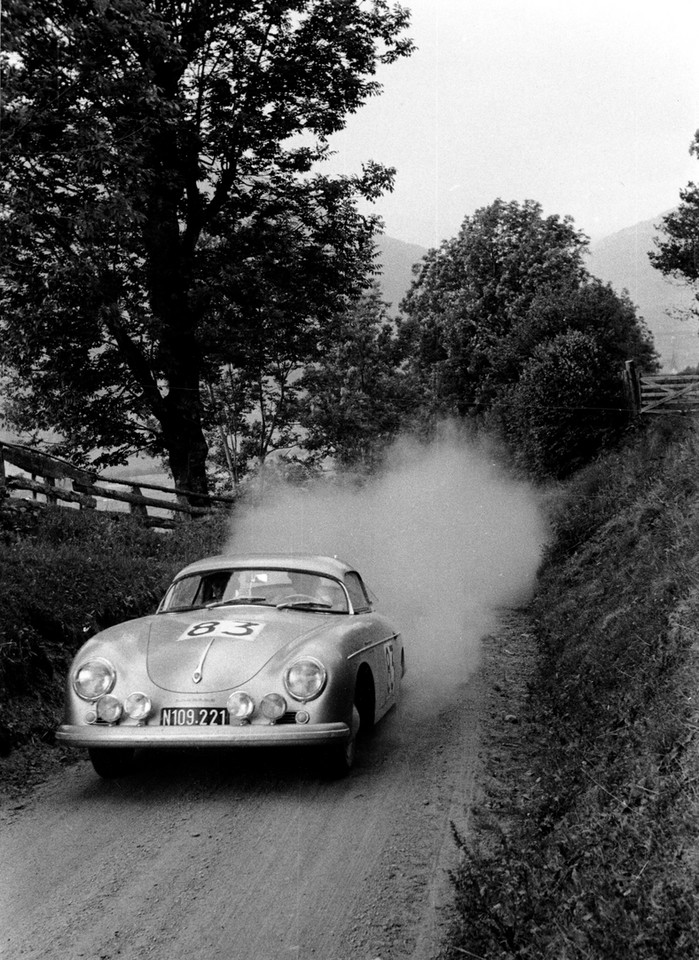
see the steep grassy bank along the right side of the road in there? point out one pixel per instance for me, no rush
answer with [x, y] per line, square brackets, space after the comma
[587, 847]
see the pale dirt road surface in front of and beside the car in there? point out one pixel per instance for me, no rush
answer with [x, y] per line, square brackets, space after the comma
[246, 855]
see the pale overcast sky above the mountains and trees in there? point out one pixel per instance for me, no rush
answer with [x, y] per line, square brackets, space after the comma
[587, 106]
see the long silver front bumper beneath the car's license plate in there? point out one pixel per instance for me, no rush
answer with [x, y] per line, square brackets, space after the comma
[272, 735]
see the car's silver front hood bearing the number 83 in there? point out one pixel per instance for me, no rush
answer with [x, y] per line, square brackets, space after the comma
[205, 651]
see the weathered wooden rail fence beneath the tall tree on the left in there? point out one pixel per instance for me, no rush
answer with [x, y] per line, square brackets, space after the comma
[51, 481]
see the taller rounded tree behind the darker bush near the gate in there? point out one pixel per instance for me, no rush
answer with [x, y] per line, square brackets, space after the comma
[471, 296]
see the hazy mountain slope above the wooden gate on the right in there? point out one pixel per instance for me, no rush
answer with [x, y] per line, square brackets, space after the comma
[622, 260]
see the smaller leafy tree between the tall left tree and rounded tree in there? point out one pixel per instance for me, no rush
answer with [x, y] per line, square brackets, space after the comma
[356, 394]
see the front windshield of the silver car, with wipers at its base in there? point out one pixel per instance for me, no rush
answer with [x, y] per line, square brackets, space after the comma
[282, 588]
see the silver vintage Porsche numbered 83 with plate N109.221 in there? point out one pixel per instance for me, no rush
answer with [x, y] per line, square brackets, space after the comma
[243, 651]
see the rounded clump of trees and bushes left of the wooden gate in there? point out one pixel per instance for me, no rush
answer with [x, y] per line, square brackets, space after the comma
[505, 323]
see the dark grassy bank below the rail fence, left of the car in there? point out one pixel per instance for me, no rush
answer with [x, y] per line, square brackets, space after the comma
[64, 575]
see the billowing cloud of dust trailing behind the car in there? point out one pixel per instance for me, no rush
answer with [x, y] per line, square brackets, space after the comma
[441, 536]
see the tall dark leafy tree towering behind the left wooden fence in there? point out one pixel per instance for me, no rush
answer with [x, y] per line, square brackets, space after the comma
[158, 187]
